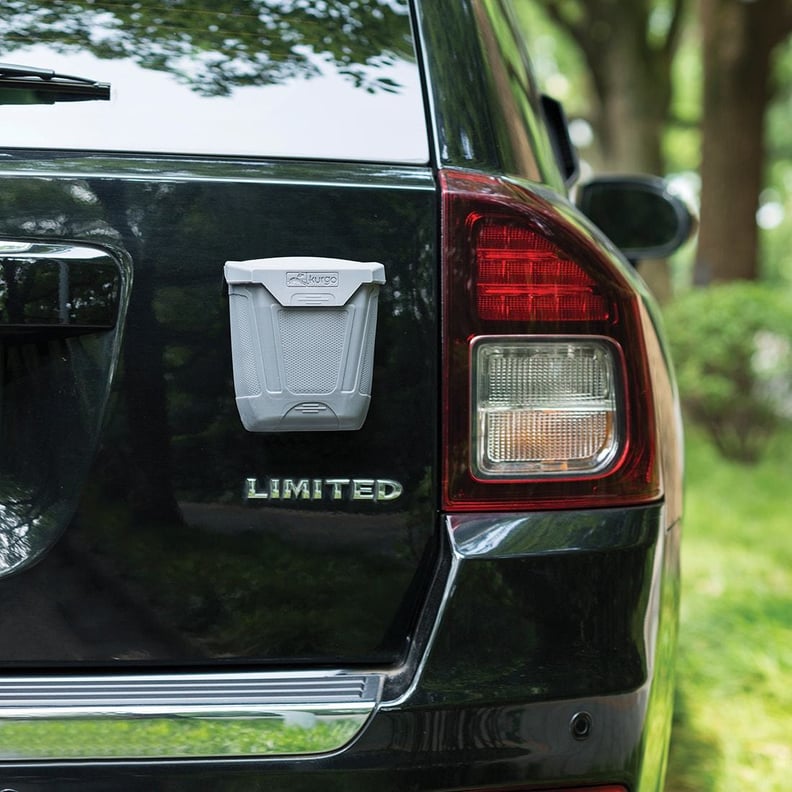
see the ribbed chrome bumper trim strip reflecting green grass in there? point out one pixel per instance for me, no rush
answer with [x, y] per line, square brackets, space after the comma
[176, 716]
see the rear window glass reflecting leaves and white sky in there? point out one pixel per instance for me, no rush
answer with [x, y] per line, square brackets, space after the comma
[335, 79]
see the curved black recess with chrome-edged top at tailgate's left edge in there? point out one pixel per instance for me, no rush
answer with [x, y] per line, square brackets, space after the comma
[61, 312]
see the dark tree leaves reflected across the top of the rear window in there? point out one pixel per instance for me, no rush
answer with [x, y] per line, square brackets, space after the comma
[216, 45]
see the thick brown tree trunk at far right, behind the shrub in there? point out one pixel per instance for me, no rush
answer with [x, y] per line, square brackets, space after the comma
[739, 40]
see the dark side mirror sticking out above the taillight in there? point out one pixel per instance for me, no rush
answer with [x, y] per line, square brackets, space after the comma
[638, 213]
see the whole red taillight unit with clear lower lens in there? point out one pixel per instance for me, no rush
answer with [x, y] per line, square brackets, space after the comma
[547, 400]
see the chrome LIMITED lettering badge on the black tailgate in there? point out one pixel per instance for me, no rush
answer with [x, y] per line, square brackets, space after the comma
[379, 490]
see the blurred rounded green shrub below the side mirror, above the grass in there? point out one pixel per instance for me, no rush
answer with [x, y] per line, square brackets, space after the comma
[732, 347]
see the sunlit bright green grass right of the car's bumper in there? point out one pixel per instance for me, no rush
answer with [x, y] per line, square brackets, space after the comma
[733, 722]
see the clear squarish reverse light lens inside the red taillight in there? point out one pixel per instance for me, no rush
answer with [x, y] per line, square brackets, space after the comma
[544, 407]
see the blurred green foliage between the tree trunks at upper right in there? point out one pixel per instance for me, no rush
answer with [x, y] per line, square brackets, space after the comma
[564, 71]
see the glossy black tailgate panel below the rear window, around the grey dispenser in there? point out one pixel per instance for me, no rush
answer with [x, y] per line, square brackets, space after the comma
[142, 523]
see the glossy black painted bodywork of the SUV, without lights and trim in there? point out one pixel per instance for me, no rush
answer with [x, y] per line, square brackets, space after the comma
[496, 634]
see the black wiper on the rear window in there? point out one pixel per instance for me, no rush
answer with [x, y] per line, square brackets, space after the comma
[30, 85]
